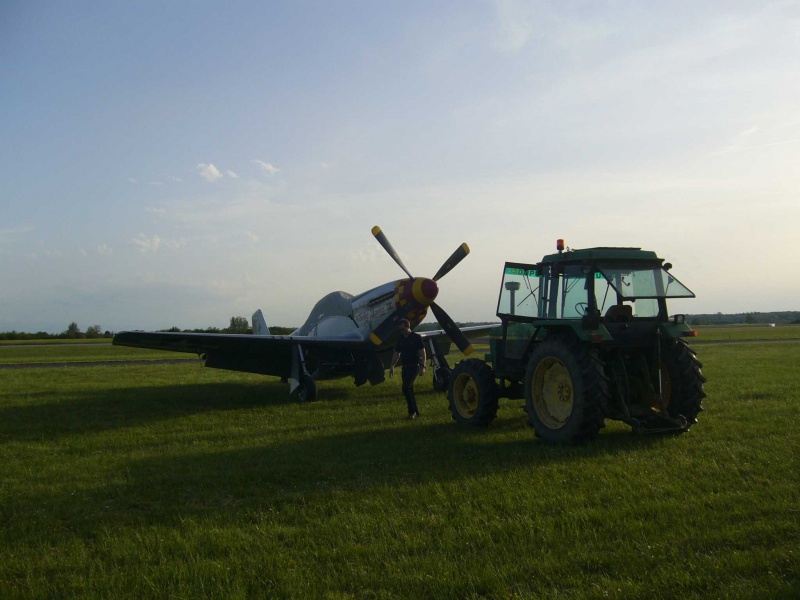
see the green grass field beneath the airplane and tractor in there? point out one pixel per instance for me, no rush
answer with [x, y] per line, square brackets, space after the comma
[177, 481]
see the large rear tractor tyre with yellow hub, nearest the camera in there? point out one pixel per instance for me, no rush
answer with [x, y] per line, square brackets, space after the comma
[565, 391]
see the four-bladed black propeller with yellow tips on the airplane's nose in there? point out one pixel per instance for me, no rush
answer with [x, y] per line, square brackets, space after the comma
[387, 327]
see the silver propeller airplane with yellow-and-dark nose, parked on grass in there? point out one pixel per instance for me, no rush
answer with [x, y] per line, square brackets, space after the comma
[344, 335]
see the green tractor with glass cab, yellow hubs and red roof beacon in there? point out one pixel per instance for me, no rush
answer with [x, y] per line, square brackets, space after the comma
[585, 336]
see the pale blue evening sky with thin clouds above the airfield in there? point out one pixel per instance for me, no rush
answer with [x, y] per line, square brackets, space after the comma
[179, 163]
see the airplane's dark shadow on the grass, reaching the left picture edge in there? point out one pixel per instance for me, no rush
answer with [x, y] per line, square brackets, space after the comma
[132, 407]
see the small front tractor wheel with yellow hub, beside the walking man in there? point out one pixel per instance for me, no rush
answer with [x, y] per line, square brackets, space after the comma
[473, 393]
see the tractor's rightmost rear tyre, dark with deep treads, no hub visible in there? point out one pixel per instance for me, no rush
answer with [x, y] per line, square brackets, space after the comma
[681, 381]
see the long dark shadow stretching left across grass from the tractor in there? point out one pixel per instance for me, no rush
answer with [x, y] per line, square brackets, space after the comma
[275, 476]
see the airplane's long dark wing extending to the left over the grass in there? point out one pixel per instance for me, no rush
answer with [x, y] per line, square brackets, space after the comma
[266, 355]
